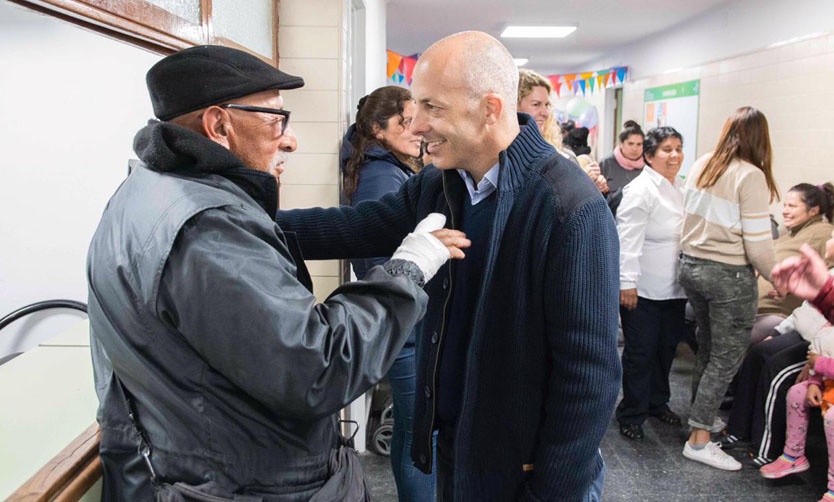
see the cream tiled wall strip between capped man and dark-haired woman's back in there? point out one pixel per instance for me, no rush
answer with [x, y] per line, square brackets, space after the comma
[311, 44]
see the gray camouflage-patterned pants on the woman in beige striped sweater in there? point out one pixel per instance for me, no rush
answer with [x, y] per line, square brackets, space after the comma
[724, 299]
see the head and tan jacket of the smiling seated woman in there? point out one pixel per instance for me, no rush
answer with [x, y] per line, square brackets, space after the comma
[807, 215]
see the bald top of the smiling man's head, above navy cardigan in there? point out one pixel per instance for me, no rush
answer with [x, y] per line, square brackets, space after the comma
[477, 62]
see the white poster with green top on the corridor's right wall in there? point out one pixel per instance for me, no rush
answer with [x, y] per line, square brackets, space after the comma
[675, 105]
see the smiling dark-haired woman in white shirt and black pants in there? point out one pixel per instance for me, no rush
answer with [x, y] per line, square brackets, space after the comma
[652, 302]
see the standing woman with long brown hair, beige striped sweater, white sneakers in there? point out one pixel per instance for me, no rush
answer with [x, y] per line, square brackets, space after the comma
[726, 238]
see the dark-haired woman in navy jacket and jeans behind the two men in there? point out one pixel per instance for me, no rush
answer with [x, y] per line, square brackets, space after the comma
[379, 153]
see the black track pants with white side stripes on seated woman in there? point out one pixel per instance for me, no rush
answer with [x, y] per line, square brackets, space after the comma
[769, 370]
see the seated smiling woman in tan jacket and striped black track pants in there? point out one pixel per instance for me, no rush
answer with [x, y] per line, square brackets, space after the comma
[772, 364]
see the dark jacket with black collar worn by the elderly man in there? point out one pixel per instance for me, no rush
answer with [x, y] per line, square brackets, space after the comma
[199, 306]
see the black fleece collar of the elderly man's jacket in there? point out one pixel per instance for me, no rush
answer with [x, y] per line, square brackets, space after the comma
[166, 147]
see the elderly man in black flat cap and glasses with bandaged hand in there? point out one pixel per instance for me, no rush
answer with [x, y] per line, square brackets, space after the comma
[218, 375]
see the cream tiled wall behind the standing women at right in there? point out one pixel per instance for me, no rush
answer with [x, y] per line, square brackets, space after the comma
[790, 84]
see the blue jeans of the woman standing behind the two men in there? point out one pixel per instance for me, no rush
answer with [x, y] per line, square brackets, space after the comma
[412, 485]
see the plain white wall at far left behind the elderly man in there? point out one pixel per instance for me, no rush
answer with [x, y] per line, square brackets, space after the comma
[71, 101]
